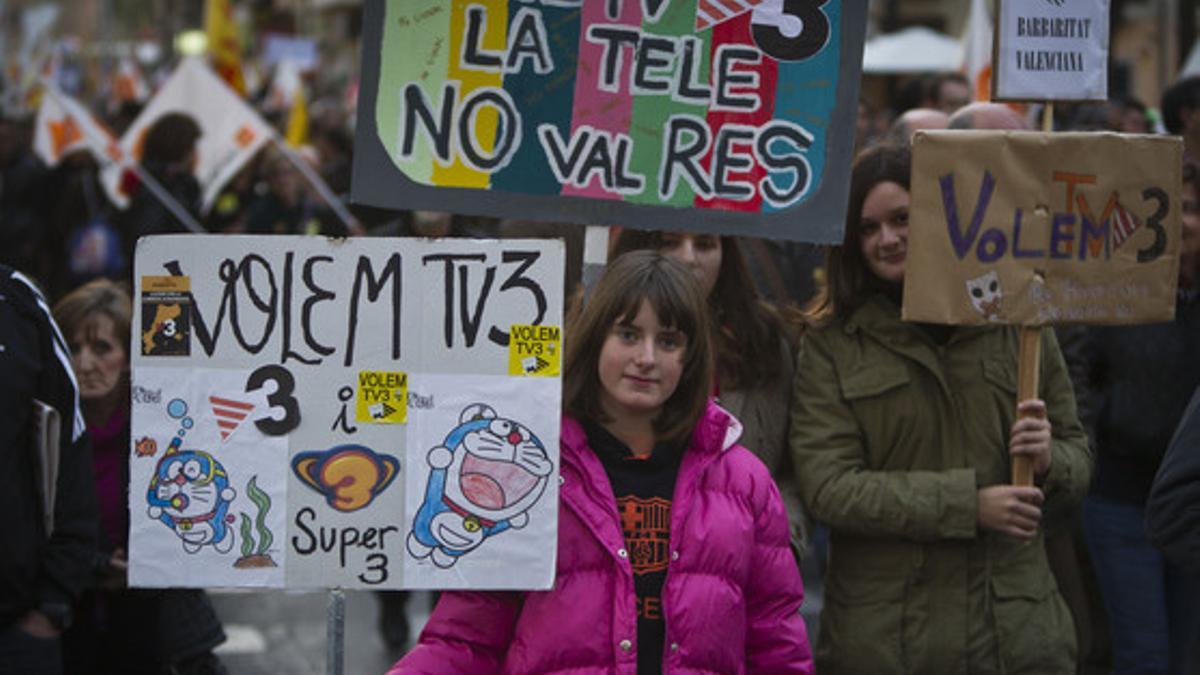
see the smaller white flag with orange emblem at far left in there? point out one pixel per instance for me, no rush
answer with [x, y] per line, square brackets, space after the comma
[64, 126]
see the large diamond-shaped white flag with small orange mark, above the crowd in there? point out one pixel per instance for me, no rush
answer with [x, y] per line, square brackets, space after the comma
[231, 132]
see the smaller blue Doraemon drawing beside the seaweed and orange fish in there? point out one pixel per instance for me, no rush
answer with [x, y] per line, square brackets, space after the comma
[190, 493]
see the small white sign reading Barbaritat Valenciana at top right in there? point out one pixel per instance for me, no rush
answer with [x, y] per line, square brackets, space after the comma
[1052, 51]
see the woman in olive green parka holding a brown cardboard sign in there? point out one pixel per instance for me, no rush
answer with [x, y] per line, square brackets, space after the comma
[903, 437]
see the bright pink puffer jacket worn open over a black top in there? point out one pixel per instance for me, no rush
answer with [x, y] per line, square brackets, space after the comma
[733, 595]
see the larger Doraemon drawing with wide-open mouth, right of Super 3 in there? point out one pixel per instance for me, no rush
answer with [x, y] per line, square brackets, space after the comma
[483, 481]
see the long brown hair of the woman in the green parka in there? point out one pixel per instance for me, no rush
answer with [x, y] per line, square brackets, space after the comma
[848, 278]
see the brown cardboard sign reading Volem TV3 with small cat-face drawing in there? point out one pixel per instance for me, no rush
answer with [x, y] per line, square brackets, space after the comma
[1041, 229]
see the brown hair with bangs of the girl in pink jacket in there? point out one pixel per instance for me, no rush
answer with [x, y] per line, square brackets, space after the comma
[676, 297]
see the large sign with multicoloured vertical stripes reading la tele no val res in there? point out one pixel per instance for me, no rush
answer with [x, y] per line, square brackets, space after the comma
[725, 117]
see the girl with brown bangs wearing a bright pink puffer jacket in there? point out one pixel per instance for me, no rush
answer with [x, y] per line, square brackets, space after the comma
[674, 547]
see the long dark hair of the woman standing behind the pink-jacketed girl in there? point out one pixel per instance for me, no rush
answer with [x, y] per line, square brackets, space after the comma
[747, 328]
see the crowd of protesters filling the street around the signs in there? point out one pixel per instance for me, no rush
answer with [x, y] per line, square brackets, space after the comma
[766, 392]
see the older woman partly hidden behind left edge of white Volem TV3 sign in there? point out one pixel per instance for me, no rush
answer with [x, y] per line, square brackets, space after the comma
[121, 630]
